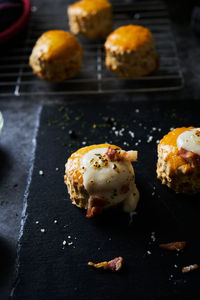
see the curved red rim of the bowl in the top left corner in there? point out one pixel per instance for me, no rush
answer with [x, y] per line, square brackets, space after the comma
[18, 25]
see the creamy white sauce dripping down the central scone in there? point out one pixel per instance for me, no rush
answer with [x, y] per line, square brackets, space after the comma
[104, 178]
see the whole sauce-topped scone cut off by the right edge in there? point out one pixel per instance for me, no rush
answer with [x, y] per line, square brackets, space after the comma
[178, 163]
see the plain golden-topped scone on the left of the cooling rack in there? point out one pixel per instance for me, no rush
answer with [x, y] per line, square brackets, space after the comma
[56, 56]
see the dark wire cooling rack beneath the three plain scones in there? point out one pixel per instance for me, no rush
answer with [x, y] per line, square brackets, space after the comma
[17, 78]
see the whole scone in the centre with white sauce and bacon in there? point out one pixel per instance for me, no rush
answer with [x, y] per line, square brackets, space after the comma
[101, 176]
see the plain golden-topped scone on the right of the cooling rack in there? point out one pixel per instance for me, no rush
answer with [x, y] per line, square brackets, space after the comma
[130, 52]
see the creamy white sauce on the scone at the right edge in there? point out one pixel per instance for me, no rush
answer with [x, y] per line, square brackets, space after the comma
[190, 140]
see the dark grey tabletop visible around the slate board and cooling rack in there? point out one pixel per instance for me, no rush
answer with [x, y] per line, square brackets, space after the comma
[21, 118]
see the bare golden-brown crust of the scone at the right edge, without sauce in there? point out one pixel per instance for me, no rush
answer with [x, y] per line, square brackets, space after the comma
[172, 169]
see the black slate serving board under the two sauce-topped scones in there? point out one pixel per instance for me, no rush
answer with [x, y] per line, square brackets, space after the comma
[47, 269]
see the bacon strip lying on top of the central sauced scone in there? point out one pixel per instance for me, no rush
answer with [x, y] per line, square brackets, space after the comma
[117, 155]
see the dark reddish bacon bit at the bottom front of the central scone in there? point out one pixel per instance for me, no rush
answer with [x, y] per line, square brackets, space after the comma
[96, 205]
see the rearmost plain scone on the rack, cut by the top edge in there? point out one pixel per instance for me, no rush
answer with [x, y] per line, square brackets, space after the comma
[93, 19]
